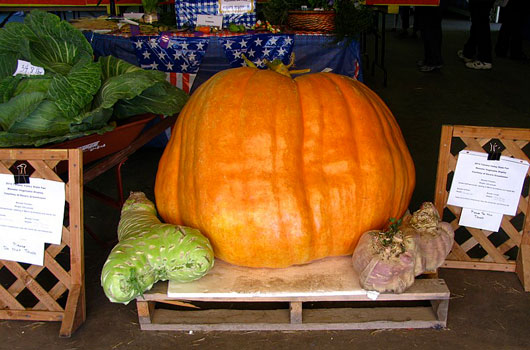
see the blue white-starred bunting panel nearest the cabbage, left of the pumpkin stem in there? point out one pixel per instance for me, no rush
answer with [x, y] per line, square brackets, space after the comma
[170, 54]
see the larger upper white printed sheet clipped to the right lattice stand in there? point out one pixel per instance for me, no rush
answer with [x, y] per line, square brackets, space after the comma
[490, 185]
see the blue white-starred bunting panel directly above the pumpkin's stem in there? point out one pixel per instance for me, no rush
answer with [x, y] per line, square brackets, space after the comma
[258, 48]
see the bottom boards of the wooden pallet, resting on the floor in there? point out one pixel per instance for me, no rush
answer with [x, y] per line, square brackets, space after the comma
[314, 319]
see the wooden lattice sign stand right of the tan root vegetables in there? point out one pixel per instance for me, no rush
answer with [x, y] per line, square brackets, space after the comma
[509, 248]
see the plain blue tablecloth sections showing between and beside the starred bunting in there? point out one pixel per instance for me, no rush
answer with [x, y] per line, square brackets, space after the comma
[317, 52]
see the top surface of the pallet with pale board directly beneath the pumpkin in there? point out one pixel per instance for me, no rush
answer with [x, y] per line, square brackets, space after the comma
[329, 279]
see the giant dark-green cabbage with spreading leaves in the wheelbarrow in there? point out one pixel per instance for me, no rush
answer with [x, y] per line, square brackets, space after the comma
[76, 96]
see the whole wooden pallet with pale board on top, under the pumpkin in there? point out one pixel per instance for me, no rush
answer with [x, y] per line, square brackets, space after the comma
[322, 295]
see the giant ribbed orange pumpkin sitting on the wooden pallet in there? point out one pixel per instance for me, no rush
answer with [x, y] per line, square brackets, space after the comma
[279, 171]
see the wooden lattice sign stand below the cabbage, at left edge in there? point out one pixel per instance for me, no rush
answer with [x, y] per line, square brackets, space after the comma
[55, 291]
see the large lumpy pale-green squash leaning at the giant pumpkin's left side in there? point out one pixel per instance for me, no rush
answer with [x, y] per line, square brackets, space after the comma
[149, 251]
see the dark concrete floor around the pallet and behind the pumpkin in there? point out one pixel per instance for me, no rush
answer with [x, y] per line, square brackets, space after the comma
[488, 310]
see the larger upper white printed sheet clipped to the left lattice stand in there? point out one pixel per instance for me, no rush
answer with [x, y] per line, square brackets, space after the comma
[34, 210]
